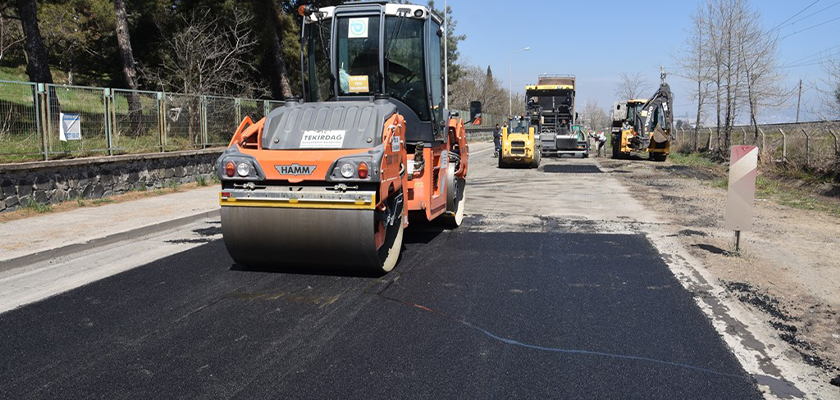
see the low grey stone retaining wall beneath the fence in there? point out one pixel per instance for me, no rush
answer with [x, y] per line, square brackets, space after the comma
[52, 182]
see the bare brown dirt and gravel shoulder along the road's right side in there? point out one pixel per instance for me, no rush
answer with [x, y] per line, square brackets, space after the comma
[789, 269]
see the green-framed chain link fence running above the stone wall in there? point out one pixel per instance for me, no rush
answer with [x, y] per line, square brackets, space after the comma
[104, 121]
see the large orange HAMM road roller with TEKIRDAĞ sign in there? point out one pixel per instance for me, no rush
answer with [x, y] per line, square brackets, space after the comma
[329, 180]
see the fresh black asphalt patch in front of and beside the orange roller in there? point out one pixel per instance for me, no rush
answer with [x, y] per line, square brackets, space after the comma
[464, 315]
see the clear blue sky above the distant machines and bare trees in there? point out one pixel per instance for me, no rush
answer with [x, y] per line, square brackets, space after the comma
[597, 40]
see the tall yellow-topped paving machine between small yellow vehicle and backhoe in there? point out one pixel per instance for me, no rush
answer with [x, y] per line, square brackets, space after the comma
[551, 107]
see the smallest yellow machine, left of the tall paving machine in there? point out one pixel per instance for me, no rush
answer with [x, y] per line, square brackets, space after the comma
[519, 144]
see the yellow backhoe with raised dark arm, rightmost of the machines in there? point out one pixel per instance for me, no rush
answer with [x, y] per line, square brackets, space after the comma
[644, 126]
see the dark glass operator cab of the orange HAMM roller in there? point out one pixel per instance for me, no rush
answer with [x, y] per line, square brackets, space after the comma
[365, 49]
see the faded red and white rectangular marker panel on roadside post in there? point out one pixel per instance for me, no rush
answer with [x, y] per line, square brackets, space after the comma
[743, 164]
